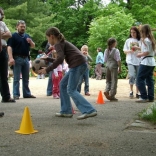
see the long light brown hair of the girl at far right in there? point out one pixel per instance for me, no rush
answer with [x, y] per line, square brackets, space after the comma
[146, 32]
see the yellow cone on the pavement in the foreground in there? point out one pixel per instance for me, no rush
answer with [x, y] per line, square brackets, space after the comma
[26, 123]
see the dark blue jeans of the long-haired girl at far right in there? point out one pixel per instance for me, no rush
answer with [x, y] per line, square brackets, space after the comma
[145, 77]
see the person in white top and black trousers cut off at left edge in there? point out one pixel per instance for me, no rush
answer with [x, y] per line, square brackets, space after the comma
[4, 87]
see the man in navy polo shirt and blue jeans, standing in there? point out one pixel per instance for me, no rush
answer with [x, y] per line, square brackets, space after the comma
[18, 49]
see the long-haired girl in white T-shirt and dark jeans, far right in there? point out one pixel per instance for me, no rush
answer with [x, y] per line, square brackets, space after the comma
[145, 73]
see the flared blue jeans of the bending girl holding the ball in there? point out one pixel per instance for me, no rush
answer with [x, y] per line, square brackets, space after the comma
[68, 88]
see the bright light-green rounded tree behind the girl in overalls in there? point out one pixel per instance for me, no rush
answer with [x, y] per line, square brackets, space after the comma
[115, 24]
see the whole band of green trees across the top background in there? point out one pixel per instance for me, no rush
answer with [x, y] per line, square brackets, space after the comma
[81, 21]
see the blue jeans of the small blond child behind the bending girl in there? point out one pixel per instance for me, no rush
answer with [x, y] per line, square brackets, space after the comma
[84, 77]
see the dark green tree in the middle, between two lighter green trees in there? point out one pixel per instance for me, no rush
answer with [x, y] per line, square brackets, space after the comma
[74, 18]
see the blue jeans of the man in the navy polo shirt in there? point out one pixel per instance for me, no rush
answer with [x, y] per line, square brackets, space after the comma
[21, 66]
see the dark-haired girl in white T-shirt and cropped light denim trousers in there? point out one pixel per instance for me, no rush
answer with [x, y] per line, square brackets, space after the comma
[131, 59]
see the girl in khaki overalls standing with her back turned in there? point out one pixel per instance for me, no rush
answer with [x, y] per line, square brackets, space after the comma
[113, 67]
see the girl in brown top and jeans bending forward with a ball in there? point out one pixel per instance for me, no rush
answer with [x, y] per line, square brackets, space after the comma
[68, 85]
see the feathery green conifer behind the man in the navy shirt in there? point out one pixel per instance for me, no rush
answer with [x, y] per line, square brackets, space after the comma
[37, 20]
